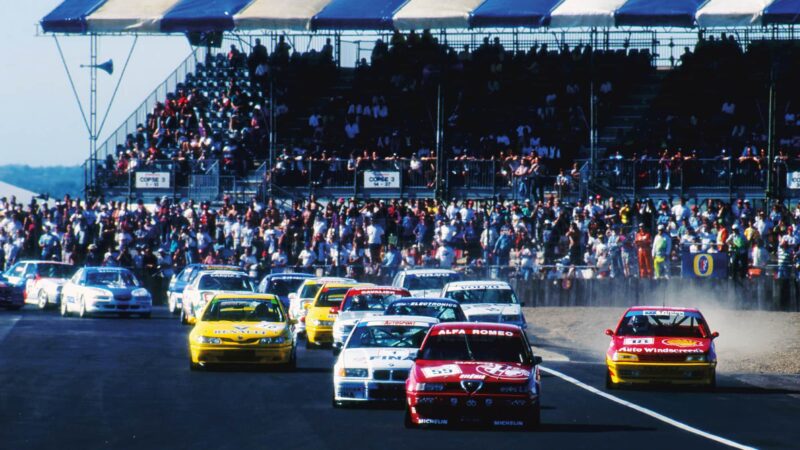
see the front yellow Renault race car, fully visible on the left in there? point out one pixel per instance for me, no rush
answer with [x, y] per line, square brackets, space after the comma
[243, 329]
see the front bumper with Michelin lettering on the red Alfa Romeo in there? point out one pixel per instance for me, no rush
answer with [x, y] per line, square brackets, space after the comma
[457, 408]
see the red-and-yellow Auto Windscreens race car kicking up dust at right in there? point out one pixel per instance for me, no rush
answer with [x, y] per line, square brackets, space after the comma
[654, 344]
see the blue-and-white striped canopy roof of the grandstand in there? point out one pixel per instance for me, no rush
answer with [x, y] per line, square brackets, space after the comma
[177, 16]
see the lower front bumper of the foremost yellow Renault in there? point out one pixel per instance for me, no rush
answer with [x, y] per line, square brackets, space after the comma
[241, 354]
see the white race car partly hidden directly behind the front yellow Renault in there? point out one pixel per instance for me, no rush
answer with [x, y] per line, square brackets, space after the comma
[208, 284]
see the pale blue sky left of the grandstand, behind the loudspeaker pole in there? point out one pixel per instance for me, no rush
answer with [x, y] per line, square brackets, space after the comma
[40, 123]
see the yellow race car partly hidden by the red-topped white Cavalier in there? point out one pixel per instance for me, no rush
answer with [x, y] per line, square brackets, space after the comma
[322, 312]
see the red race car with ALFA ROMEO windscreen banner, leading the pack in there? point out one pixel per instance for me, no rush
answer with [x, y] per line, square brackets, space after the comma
[466, 373]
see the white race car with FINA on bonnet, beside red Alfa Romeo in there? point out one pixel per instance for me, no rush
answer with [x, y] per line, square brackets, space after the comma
[376, 359]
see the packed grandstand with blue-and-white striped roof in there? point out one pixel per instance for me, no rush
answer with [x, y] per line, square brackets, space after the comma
[498, 97]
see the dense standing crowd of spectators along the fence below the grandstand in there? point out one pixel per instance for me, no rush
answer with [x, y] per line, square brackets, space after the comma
[545, 239]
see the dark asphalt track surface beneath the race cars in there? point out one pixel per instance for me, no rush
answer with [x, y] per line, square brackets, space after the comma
[125, 383]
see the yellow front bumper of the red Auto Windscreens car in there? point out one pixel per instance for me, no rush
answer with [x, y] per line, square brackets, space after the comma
[661, 373]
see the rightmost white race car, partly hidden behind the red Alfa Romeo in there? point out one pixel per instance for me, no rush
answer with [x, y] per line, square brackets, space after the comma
[487, 301]
